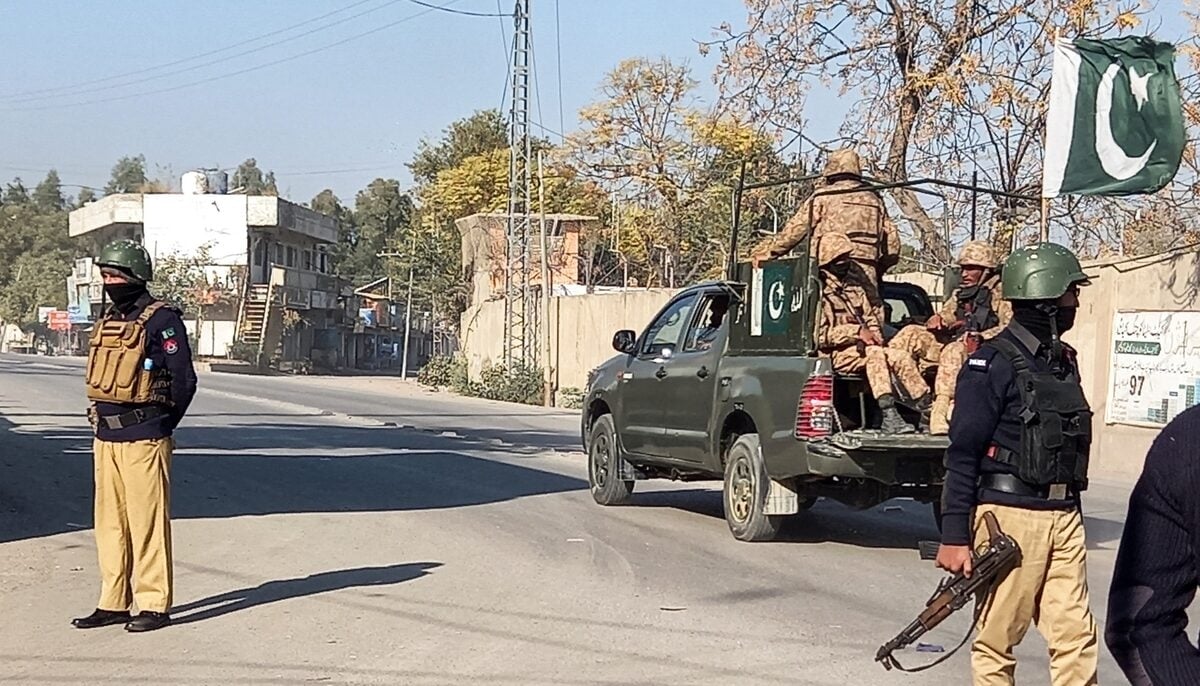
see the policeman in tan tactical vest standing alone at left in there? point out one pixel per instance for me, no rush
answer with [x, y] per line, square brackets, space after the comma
[141, 382]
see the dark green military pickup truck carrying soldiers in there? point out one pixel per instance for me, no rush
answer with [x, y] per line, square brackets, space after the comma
[727, 383]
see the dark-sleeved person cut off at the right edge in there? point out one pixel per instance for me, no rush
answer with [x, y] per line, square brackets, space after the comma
[1156, 575]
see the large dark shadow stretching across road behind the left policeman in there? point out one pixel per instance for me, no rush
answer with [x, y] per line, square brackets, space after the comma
[46, 479]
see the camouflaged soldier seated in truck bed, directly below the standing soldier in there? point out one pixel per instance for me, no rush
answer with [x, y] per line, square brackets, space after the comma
[851, 333]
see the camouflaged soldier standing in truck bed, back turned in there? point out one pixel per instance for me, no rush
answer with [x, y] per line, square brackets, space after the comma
[860, 216]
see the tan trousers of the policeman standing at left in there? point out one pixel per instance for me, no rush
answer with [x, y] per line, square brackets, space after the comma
[134, 525]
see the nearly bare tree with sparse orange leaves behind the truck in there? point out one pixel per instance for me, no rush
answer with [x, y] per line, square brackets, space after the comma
[940, 88]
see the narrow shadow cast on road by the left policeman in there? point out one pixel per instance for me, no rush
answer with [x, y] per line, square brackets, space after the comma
[287, 589]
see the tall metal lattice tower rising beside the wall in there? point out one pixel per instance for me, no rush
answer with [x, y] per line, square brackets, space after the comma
[519, 310]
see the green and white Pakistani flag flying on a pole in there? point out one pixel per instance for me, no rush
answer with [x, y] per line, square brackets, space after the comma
[1115, 123]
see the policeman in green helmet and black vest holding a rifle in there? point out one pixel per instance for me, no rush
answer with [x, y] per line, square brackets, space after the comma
[1019, 442]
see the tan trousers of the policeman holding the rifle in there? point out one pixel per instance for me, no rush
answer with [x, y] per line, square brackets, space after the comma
[1049, 589]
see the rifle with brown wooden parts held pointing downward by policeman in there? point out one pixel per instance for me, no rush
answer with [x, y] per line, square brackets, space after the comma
[988, 563]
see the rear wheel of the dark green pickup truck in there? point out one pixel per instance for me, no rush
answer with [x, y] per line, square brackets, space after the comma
[746, 492]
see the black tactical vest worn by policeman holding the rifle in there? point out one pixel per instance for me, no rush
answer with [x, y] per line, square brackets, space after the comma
[1057, 430]
